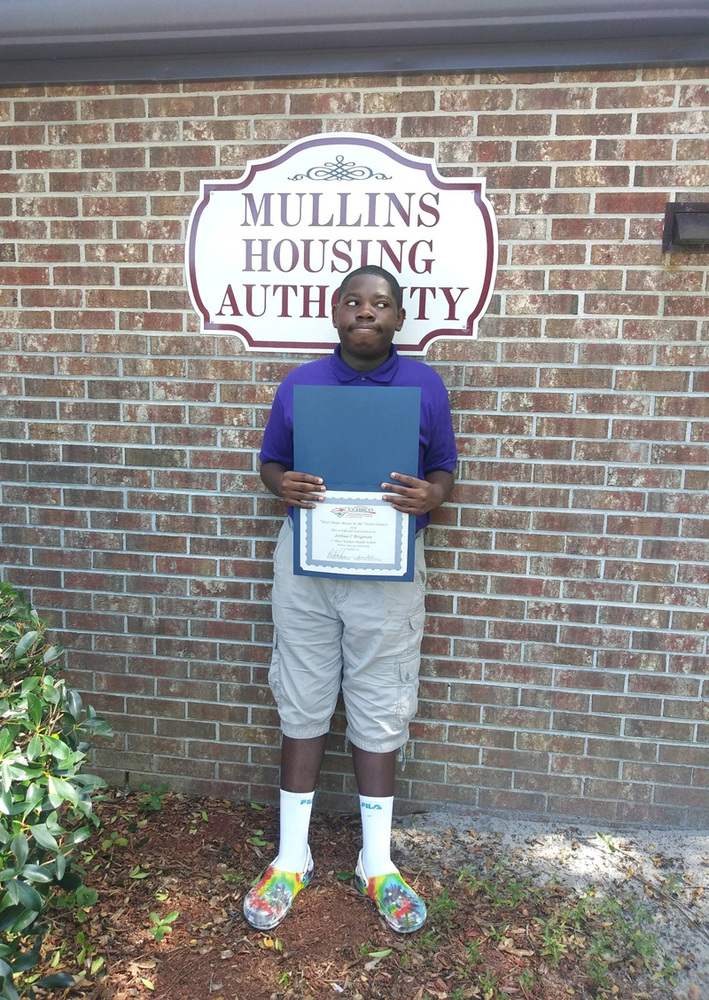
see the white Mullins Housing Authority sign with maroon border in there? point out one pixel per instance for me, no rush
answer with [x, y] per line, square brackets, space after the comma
[266, 253]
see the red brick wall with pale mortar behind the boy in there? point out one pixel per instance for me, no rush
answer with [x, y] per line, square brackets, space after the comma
[566, 652]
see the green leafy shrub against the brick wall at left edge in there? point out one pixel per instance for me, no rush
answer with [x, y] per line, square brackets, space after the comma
[46, 806]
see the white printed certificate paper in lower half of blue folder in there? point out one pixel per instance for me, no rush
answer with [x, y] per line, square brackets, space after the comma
[351, 533]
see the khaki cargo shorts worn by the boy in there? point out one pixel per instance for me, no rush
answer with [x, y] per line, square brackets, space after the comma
[361, 636]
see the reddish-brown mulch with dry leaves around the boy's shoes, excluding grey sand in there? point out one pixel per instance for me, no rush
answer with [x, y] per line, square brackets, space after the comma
[197, 857]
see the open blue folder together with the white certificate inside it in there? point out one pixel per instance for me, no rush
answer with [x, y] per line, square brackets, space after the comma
[354, 438]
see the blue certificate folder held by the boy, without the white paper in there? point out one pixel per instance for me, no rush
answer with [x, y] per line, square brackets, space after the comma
[354, 438]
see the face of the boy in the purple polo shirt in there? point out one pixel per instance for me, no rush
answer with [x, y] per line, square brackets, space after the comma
[366, 319]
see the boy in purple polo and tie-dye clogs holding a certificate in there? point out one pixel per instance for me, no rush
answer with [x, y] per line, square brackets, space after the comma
[363, 636]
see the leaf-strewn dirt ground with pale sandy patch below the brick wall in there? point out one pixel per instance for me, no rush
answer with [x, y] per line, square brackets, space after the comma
[516, 911]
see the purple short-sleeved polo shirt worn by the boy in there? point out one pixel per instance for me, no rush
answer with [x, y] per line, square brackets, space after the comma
[436, 439]
